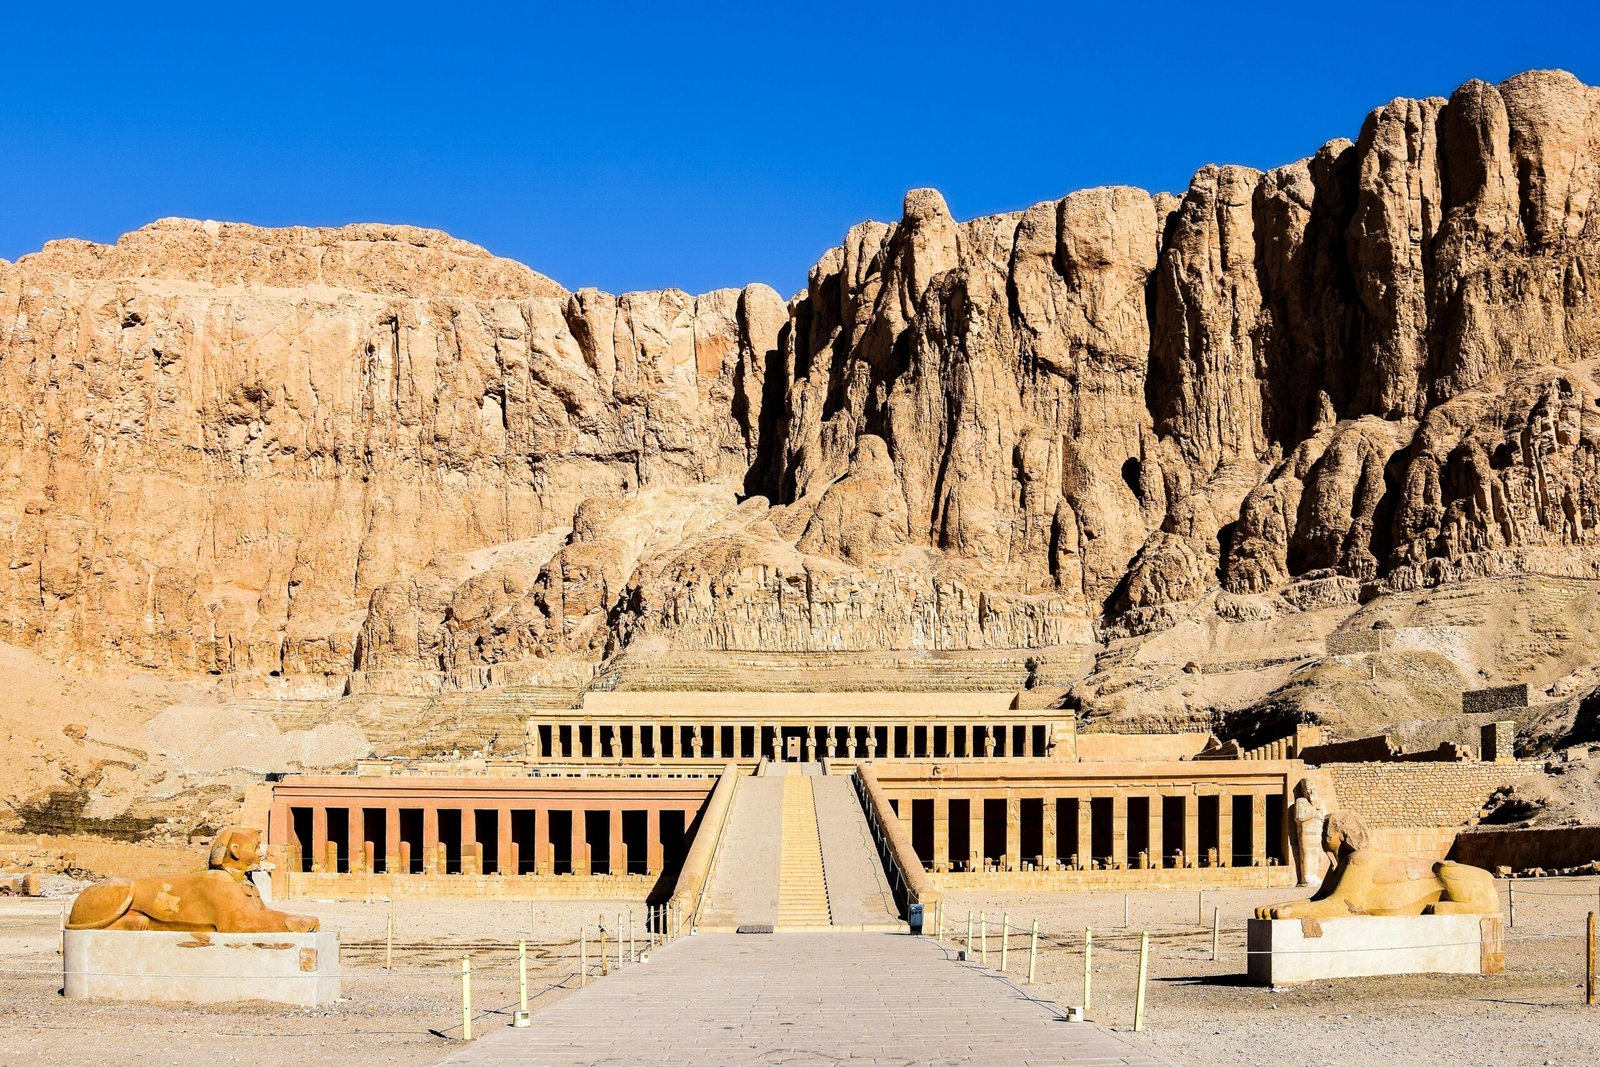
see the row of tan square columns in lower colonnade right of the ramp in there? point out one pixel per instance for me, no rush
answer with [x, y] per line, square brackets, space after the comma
[1220, 833]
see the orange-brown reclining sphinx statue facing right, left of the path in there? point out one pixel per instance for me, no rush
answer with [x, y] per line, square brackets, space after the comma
[218, 900]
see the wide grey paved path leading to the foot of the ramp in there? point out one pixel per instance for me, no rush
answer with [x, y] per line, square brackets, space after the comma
[801, 999]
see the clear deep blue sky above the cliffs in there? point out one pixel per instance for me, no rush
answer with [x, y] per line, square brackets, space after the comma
[641, 146]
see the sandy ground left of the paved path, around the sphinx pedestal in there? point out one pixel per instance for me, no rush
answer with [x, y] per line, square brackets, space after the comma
[402, 1018]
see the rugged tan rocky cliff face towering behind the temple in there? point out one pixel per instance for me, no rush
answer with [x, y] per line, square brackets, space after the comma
[378, 457]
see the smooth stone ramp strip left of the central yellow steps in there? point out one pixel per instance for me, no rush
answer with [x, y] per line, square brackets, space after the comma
[743, 884]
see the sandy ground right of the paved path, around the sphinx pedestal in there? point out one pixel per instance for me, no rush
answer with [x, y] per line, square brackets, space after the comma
[1202, 1013]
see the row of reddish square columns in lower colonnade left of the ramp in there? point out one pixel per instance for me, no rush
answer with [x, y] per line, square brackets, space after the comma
[398, 852]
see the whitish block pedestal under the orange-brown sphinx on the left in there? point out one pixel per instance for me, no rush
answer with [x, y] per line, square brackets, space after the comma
[169, 967]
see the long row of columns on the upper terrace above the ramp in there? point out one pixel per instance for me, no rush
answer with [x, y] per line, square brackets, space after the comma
[753, 741]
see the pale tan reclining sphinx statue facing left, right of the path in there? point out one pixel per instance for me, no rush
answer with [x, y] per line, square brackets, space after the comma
[1366, 881]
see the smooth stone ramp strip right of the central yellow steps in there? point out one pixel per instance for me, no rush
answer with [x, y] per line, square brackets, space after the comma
[858, 892]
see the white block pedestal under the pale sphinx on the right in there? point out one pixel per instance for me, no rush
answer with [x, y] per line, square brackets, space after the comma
[1284, 953]
